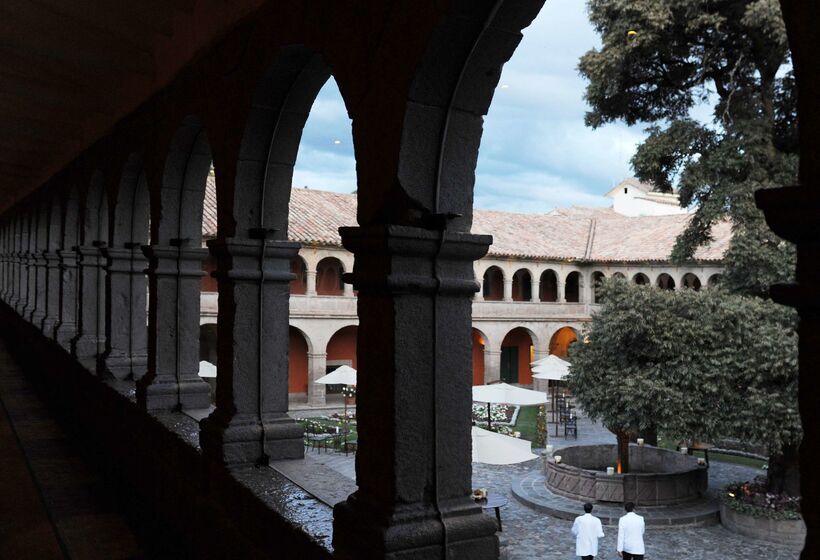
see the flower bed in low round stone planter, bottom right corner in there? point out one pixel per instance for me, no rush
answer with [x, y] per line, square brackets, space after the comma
[747, 509]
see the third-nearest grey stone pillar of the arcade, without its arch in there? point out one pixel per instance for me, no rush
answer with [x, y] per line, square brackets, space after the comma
[172, 380]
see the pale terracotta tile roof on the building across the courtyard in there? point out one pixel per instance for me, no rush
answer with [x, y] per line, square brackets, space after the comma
[597, 234]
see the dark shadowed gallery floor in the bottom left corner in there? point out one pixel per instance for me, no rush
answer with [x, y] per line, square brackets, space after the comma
[54, 502]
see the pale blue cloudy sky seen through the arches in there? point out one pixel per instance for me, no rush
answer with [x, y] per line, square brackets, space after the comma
[536, 154]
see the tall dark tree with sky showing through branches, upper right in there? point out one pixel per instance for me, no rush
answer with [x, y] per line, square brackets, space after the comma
[658, 60]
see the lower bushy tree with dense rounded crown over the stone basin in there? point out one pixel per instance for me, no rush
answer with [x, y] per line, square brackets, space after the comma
[696, 365]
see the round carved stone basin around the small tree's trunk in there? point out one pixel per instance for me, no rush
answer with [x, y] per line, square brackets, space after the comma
[657, 476]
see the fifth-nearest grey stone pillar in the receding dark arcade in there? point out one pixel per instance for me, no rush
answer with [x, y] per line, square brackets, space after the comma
[89, 343]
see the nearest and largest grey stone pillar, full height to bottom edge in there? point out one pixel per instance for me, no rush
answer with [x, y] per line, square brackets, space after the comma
[413, 403]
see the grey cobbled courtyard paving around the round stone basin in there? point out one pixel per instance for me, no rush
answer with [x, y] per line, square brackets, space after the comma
[532, 535]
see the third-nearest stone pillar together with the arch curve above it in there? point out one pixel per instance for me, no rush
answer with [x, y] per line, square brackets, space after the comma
[175, 263]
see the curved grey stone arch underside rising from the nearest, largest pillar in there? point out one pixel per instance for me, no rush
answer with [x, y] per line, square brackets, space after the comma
[450, 93]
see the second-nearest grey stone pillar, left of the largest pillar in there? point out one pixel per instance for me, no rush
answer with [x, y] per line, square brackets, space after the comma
[250, 423]
